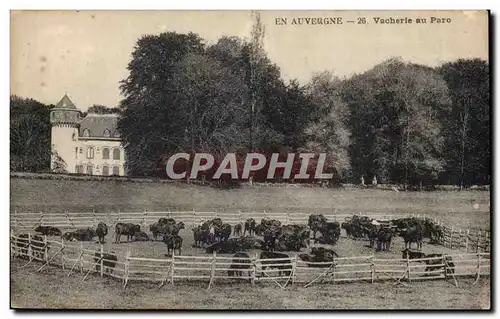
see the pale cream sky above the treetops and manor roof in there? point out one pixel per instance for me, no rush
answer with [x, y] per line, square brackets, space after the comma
[85, 54]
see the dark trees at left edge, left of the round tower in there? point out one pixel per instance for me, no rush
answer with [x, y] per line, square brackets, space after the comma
[29, 135]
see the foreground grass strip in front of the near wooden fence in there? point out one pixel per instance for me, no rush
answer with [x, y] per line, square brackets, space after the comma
[52, 289]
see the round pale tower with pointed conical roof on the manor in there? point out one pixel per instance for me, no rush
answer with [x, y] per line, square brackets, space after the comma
[65, 119]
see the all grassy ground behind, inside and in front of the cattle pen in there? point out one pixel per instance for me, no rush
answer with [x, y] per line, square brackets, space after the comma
[52, 289]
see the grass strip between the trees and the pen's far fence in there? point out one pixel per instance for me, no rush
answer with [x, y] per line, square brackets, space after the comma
[33, 195]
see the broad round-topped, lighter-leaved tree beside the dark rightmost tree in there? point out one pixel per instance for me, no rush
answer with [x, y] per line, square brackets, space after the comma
[395, 111]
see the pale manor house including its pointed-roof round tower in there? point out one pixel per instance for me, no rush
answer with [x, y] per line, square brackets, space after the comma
[87, 145]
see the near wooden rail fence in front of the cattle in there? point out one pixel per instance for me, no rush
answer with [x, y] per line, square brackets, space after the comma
[215, 269]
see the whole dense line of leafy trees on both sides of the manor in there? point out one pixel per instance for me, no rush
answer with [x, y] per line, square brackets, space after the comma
[399, 121]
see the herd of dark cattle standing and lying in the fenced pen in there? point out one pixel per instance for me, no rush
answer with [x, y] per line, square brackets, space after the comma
[214, 235]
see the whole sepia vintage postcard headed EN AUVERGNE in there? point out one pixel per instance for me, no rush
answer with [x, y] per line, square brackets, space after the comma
[250, 160]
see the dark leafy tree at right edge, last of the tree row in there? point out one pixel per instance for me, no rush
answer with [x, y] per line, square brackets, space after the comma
[467, 131]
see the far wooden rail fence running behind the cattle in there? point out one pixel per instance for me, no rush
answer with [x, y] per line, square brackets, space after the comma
[467, 240]
